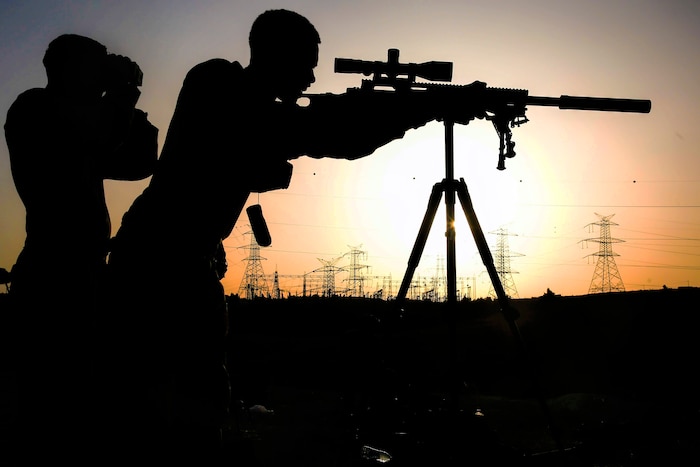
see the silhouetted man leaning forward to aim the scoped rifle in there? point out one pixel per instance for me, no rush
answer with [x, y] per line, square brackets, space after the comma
[233, 132]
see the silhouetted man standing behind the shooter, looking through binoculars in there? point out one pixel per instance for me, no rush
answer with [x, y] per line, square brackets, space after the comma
[63, 141]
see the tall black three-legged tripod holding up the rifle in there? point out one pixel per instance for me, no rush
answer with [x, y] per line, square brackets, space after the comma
[453, 189]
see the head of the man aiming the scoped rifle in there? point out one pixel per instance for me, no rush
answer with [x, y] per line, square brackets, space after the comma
[283, 52]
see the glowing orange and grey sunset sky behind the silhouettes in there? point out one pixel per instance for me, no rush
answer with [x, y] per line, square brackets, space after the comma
[641, 168]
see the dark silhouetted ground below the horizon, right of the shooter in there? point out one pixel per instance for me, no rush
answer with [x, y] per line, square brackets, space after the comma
[611, 381]
